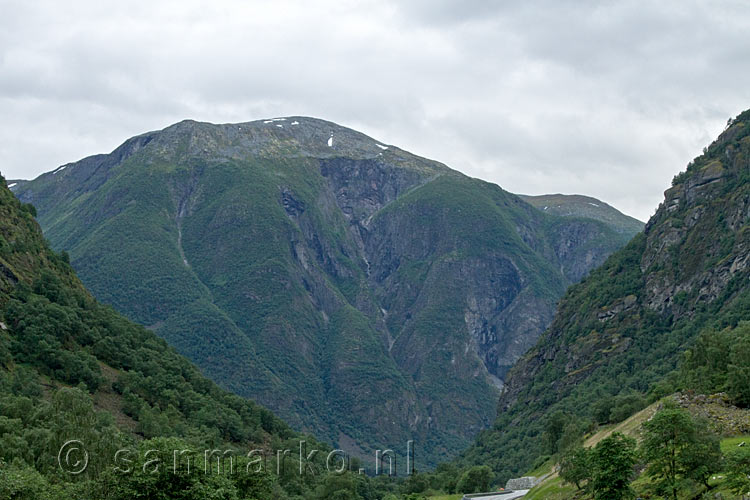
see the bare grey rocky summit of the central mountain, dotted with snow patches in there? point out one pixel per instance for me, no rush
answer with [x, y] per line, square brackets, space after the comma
[292, 137]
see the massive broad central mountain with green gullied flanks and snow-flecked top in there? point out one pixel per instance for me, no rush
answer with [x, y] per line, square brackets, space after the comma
[361, 292]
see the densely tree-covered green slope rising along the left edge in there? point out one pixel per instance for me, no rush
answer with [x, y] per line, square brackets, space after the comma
[73, 369]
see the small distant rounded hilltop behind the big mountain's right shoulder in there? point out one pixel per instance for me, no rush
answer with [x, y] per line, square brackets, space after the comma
[576, 205]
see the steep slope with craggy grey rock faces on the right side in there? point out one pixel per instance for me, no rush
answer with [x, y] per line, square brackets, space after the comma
[620, 332]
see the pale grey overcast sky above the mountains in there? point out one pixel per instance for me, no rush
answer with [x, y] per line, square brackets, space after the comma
[609, 99]
